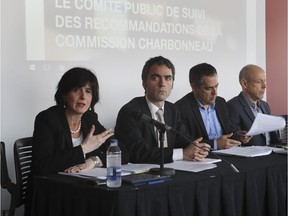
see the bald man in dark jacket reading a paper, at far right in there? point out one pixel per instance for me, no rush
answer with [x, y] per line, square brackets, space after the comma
[245, 106]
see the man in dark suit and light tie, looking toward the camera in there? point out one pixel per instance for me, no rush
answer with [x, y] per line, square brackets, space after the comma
[140, 137]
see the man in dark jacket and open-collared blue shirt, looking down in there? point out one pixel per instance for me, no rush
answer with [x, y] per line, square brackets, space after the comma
[204, 113]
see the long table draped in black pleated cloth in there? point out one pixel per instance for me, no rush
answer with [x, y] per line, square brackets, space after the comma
[259, 189]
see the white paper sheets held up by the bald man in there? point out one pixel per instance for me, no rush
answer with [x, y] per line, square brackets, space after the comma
[266, 123]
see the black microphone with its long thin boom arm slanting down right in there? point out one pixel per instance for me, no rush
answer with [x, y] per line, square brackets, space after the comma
[160, 126]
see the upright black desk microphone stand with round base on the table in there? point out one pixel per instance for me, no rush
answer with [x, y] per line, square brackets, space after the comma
[163, 171]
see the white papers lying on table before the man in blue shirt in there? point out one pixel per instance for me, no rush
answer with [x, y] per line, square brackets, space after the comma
[249, 151]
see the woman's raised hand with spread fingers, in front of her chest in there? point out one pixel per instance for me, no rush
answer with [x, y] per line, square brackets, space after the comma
[93, 142]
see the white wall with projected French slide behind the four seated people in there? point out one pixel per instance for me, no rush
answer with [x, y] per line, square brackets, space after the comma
[32, 62]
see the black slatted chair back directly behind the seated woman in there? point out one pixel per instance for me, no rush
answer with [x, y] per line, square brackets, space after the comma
[23, 163]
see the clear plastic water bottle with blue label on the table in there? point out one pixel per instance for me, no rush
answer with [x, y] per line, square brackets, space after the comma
[114, 178]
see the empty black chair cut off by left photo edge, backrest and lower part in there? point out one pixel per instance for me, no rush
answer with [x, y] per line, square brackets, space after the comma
[6, 182]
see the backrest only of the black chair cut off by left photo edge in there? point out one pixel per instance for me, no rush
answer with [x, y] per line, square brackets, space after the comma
[5, 179]
